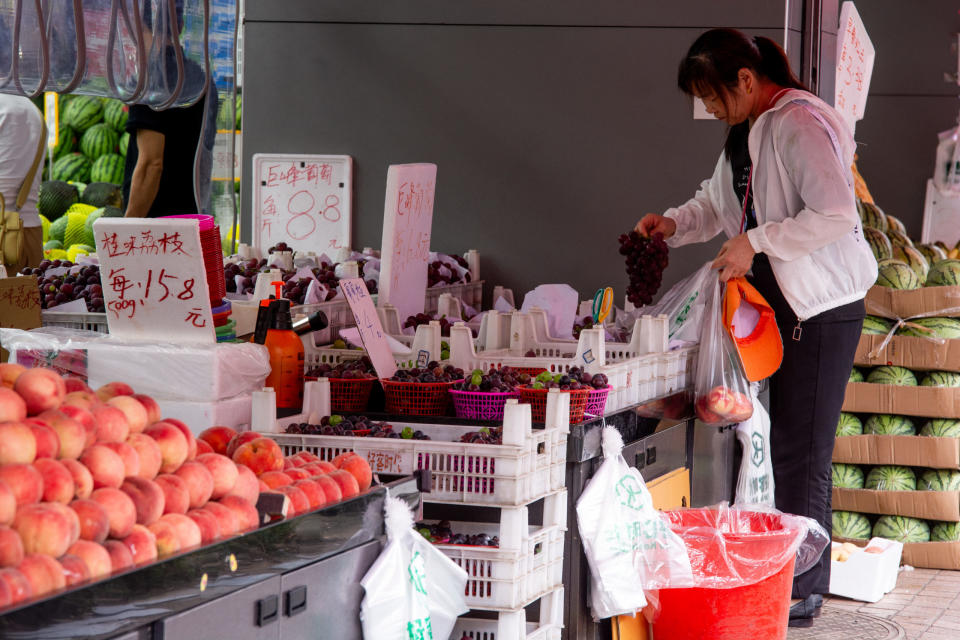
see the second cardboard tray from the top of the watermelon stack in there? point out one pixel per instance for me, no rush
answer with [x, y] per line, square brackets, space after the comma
[920, 354]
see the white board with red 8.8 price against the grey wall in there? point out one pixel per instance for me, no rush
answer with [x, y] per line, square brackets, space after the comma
[302, 200]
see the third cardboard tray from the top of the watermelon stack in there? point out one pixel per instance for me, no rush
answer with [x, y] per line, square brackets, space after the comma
[865, 397]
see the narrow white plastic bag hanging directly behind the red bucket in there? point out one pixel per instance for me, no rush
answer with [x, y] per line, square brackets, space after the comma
[755, 484]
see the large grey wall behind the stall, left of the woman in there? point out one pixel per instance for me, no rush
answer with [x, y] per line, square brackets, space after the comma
[554, 127]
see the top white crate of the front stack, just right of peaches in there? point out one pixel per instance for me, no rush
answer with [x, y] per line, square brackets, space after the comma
[527, 466]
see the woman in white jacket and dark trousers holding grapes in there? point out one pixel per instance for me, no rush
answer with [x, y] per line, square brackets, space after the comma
[782, 192]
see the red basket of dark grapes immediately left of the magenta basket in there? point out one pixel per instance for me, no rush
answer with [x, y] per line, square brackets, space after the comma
[421, 392]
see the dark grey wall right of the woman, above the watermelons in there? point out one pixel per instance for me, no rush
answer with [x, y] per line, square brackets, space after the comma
[909, 101]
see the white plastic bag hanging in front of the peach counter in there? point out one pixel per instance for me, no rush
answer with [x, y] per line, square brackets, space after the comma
[412, 591]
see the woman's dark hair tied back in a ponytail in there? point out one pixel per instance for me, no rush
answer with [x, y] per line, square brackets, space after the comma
[713, 63]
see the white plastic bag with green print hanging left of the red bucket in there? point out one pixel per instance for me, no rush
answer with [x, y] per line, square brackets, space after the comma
[628, 544]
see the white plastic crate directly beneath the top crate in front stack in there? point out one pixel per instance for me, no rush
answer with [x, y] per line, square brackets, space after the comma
[527, 565]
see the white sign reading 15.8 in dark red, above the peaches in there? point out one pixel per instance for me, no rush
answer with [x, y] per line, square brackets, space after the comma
[154, 281]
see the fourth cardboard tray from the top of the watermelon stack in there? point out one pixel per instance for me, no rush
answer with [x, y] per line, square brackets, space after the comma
[907, 451]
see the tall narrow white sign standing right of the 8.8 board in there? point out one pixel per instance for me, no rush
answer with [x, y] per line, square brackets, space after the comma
[405, 249]
